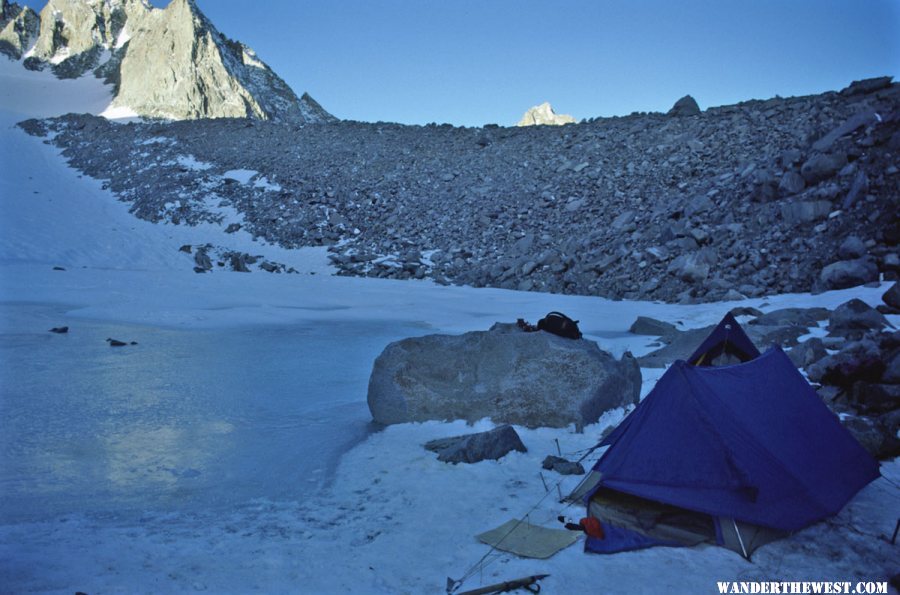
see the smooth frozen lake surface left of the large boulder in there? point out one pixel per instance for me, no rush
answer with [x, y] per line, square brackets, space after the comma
[184, 420]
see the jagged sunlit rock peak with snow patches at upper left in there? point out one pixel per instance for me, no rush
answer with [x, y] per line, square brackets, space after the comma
[167, 63]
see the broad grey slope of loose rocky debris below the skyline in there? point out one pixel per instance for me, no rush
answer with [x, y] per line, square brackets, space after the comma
[743, 200]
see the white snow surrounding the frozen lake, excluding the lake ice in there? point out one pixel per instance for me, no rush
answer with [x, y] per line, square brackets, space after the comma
[392, 519]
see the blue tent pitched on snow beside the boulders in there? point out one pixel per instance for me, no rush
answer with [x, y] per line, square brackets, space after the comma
[736, 455]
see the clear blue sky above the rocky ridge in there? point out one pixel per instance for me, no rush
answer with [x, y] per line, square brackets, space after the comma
[473, 62]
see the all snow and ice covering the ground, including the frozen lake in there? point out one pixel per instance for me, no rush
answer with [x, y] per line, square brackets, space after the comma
[230, 450]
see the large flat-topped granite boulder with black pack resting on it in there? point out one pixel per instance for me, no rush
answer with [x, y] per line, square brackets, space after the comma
[532, 379]
